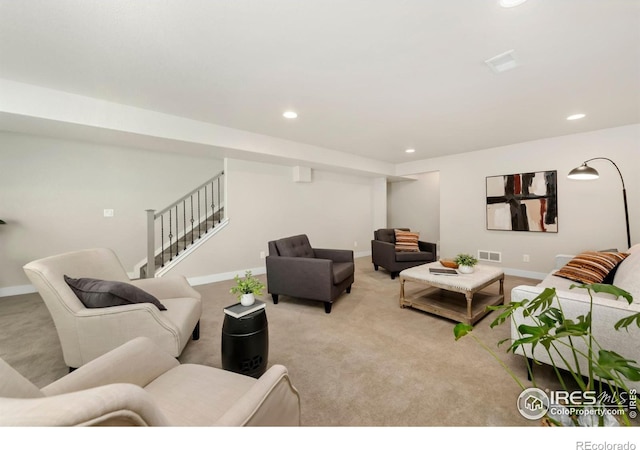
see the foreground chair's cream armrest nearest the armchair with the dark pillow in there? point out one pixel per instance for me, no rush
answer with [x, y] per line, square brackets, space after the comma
[138, 362]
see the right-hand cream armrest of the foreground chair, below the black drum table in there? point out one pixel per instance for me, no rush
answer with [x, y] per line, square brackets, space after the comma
[271, 401]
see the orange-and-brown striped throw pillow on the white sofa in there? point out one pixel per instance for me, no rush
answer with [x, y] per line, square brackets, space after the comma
[591, 267]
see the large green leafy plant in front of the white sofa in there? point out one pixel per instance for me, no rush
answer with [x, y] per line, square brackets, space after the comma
[550, 329]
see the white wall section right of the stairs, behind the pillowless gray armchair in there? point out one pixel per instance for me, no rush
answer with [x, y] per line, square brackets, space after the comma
[264, 203]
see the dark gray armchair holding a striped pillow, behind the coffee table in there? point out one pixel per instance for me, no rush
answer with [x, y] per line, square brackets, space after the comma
[384, 254]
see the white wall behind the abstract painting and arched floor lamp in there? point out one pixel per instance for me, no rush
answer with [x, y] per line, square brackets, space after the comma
[590, 214]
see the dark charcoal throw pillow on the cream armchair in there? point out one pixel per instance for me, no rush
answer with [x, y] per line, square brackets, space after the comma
[95, 293]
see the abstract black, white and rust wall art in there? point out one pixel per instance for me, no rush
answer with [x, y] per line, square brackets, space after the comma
[523, 202]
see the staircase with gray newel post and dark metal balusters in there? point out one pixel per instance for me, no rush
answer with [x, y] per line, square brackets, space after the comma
[183, 225]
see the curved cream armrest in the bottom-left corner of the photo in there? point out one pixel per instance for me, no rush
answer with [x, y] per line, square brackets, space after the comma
[115, 404]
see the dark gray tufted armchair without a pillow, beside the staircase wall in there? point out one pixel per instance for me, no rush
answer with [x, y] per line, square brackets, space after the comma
[296, 269]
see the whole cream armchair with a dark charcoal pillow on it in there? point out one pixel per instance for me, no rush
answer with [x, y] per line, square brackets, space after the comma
[86, 333]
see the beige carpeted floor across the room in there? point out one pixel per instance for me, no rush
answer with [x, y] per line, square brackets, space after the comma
[368, 363]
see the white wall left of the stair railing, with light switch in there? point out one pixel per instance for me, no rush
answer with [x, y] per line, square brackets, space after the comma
[53, 193]
